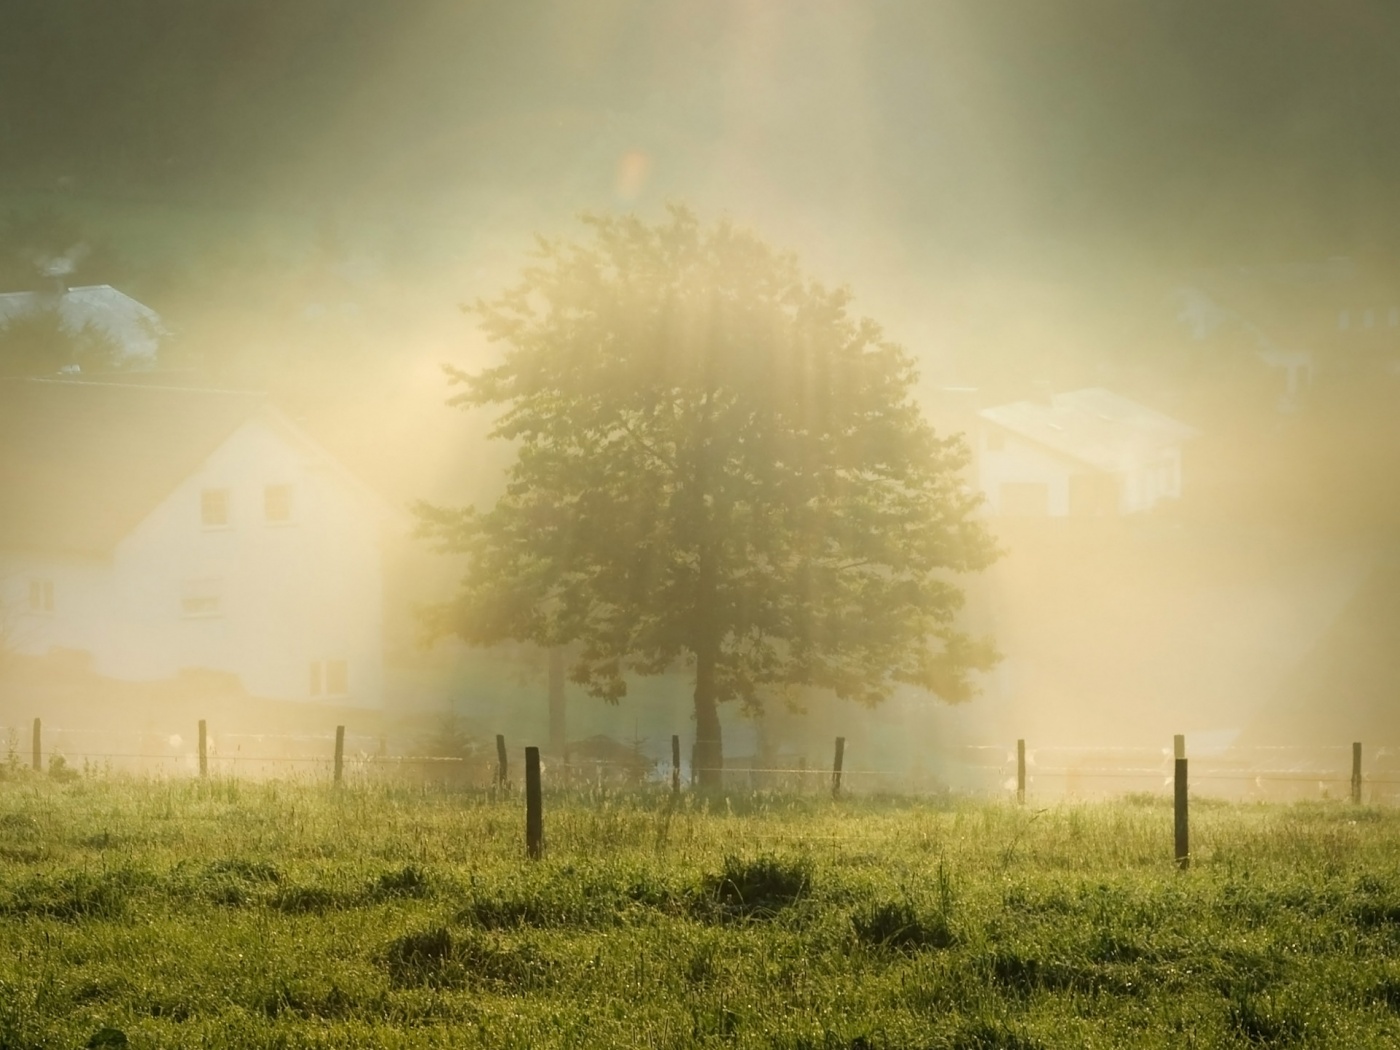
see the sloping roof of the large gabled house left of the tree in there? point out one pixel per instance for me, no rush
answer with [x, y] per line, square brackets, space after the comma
[82, 464]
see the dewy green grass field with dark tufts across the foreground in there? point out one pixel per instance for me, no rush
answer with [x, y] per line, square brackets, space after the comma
[226, 913]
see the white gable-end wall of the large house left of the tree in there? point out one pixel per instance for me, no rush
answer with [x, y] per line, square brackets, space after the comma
[289, 594]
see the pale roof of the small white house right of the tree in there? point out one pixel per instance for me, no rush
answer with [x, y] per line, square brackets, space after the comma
[1094, 426]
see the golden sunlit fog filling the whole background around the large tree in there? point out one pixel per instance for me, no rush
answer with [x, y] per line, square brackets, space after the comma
[1192, 208]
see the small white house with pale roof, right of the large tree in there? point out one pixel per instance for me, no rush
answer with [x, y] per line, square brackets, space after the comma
[1081, 454]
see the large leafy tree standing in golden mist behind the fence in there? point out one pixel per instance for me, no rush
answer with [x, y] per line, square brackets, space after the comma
[717, 464]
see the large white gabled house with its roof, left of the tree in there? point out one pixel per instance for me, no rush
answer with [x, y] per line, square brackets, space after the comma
[164, 530]
